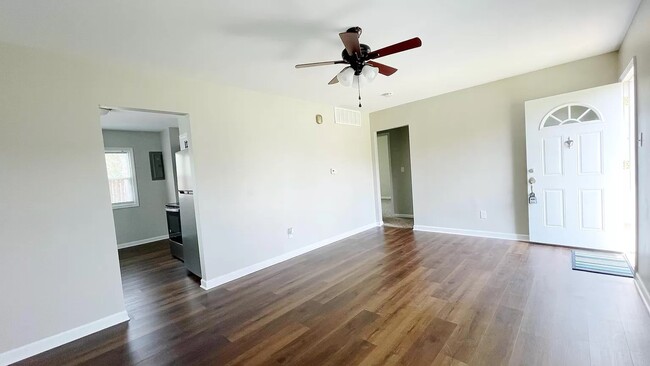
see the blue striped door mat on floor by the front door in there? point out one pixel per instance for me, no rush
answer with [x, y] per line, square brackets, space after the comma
[614, 264]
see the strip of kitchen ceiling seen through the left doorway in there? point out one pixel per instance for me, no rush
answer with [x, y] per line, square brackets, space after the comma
[137, 121]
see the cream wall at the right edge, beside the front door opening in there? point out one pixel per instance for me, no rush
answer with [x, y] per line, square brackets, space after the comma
[637, 44]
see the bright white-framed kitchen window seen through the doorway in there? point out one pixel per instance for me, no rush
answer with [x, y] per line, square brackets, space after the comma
[122, 184]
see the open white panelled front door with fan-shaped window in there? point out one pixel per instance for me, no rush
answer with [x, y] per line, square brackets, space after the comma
[575, 156]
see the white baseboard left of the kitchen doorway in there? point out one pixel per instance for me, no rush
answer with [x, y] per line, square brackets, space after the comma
[56, 340]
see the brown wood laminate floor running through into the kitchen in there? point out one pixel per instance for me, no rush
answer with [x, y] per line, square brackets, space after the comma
[383, 297]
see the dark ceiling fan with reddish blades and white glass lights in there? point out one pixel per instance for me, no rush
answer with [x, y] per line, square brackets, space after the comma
[362, 69]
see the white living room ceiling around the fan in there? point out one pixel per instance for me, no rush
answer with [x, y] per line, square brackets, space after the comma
[256, 44]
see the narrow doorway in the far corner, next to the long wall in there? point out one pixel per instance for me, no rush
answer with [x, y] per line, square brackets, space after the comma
[393, 149]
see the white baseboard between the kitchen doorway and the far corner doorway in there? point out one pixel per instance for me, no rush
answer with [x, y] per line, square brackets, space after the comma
[218, 281]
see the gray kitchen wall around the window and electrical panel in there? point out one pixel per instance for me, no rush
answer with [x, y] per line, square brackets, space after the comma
[147, 220]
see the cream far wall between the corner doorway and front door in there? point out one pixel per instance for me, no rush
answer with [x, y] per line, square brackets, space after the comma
[468, 147]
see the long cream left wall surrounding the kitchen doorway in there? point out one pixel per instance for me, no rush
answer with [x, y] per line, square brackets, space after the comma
[262, 165]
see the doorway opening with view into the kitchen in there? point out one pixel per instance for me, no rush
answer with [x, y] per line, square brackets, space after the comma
[150, 181]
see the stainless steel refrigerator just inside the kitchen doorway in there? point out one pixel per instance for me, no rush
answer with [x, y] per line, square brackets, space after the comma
[188, 220]
